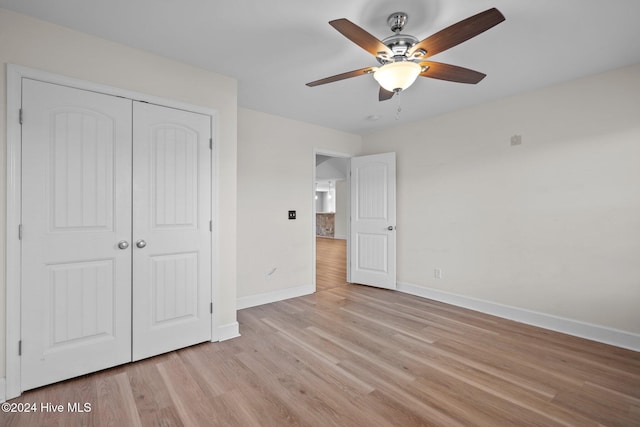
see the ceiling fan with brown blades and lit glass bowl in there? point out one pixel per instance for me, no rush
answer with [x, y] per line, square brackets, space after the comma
[403, 57]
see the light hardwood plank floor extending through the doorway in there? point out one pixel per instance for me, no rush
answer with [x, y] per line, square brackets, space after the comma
[352, 355]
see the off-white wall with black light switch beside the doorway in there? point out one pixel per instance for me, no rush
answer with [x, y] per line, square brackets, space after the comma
[276, 163]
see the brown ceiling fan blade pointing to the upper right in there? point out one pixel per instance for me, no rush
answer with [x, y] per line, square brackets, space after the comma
[459, 32]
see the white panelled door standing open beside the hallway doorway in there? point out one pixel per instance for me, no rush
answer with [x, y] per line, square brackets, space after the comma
[373, 220]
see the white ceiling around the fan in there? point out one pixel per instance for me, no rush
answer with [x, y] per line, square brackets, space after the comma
[274, 47]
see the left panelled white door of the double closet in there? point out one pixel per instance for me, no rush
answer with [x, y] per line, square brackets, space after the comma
[76, 207]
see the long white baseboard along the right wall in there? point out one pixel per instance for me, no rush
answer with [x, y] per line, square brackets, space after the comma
[589, 331]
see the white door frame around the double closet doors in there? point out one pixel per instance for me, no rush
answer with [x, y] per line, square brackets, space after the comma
[15, 74]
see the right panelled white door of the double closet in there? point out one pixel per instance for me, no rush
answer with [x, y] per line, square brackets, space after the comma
[171, 235]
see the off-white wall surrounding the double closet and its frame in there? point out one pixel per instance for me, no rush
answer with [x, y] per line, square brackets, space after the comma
[33, 43]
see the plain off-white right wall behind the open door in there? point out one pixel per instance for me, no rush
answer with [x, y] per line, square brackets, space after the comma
[552, 225]
